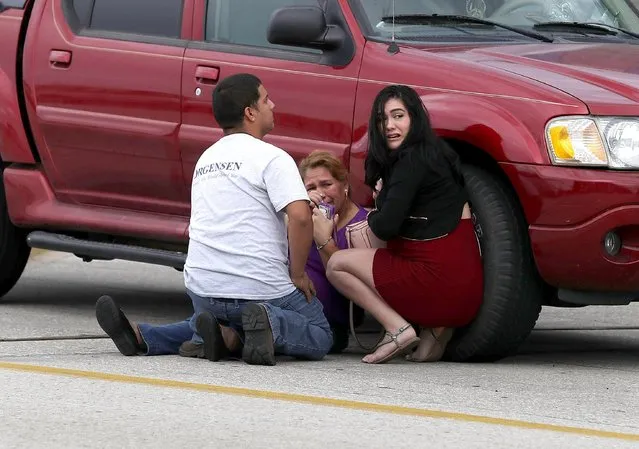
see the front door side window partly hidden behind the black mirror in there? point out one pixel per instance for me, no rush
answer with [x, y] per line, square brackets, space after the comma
[244, 22]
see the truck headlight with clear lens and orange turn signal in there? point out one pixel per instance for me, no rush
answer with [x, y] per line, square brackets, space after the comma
[599, 141]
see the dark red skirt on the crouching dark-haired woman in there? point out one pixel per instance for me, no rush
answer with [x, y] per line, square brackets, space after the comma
[432, 283]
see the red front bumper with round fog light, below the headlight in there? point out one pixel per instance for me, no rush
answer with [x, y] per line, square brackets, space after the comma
[570, 211]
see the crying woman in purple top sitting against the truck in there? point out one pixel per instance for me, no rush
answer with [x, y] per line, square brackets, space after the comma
[326, 181]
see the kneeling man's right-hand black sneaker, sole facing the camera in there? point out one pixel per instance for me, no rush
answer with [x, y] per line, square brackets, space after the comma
[258, 336]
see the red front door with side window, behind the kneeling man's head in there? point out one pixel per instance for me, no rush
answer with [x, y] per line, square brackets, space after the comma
[313, 99]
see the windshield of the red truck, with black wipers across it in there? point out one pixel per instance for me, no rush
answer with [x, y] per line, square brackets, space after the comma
[522, 14]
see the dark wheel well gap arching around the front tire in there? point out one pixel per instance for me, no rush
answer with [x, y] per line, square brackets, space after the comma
[472, 155]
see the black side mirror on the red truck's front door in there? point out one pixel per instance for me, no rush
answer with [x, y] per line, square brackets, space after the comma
[303, 26]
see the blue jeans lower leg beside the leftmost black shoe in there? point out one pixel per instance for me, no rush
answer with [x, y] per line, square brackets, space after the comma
[168, 338]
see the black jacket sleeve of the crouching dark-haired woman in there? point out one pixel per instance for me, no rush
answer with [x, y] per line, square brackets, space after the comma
[403, 185]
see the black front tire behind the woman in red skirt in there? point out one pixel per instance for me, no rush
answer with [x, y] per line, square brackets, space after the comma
[512, 287]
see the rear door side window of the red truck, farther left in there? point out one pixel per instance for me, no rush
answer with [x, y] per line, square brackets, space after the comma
[146, 17]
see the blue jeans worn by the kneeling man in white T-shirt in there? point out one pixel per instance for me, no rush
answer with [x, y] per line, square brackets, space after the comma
[299, 327]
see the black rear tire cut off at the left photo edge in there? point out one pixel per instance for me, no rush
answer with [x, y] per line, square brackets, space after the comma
[14, 251]
